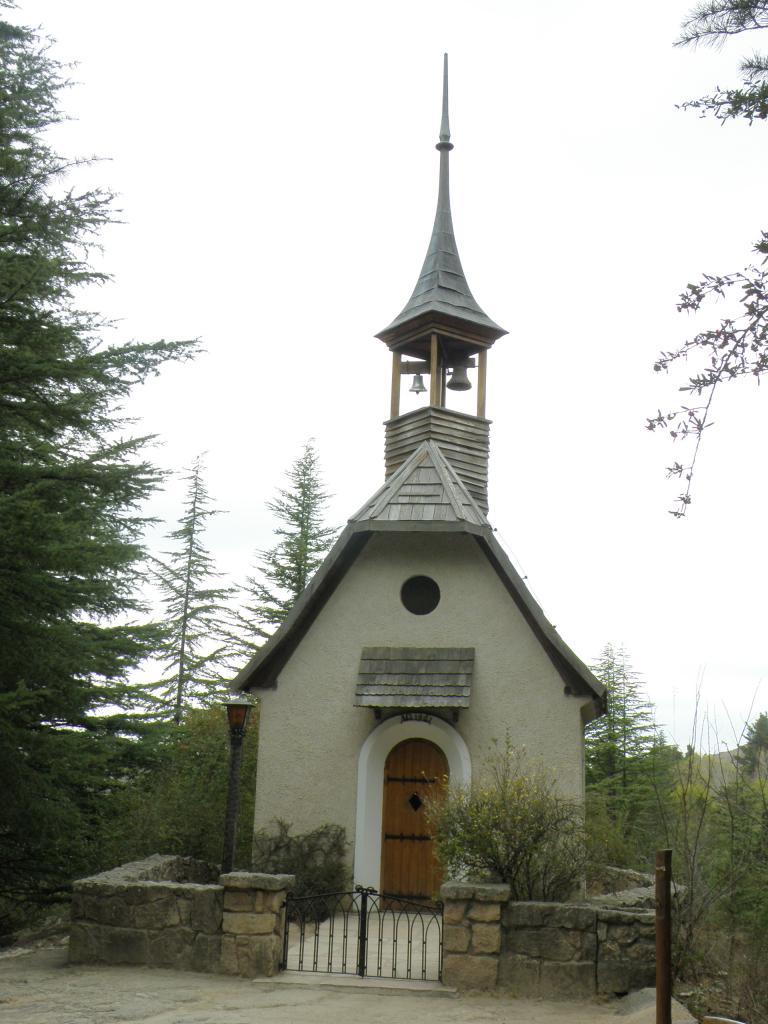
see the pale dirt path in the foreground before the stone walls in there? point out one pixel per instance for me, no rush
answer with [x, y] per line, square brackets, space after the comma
[38, 988]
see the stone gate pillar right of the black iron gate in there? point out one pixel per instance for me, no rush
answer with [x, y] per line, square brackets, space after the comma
[473, 934]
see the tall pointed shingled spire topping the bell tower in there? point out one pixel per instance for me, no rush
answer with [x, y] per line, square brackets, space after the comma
[442, 287]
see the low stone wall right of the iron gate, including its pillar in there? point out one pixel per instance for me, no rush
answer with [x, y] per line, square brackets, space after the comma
[544, 950]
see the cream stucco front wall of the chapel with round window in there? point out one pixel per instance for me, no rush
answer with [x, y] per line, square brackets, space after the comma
[312, 734]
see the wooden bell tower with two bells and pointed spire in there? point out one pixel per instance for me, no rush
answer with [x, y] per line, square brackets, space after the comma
[442, 333]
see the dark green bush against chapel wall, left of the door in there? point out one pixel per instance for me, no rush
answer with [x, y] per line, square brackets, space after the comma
[318, 859]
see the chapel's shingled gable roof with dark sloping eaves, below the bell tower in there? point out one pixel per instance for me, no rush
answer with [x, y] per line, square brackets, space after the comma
[377, 516]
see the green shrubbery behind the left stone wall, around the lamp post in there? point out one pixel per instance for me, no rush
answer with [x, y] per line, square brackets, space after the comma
[176, 804]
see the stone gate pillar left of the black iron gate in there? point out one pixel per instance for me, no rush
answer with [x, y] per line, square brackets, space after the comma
[253, 923]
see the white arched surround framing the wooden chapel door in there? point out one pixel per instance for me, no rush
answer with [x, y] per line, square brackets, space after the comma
[371, 763]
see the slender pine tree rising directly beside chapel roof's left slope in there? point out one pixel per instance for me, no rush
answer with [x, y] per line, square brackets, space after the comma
[287, 569]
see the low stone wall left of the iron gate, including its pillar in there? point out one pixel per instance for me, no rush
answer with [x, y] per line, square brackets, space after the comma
[175, 912]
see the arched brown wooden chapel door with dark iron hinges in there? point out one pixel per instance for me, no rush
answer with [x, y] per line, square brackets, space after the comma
[414, 770]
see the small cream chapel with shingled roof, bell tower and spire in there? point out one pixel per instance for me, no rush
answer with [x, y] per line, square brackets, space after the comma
[417, 645]
